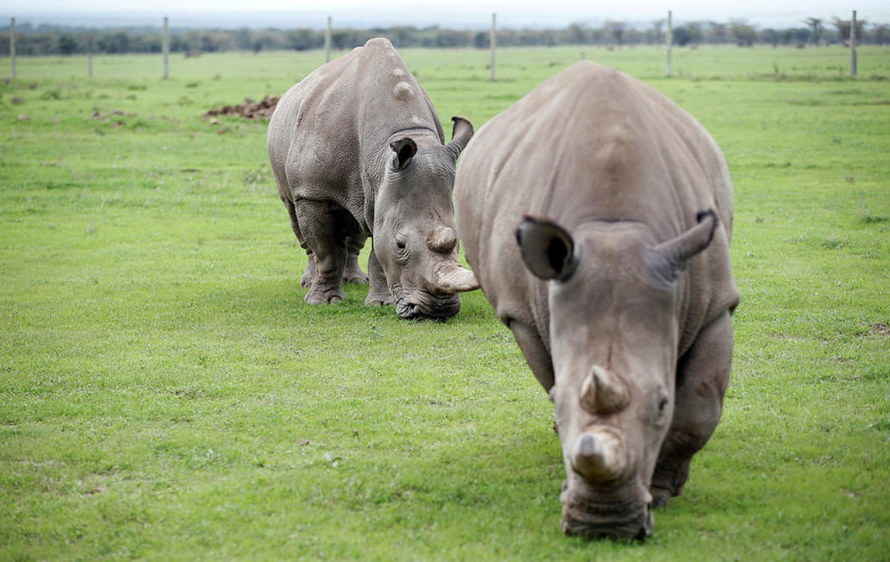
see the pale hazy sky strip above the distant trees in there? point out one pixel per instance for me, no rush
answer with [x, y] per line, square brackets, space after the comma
[463, 13]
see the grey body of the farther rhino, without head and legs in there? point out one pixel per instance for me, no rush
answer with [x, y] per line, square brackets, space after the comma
[329, 136]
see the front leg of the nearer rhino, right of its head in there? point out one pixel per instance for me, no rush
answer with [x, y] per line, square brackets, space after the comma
[702, 378]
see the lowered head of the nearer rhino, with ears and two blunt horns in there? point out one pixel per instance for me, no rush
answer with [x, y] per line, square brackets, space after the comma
[612, 297]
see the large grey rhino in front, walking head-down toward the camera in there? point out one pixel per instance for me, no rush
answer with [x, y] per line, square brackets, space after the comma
[596, 215]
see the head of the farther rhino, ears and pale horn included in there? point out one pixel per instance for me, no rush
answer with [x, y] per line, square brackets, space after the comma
[414, 235]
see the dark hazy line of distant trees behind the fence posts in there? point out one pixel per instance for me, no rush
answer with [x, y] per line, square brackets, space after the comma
[57, 40]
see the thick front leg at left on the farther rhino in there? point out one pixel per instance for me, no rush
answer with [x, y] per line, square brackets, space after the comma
[321, 226]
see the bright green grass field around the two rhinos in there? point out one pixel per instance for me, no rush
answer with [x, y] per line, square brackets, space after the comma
[165, 393]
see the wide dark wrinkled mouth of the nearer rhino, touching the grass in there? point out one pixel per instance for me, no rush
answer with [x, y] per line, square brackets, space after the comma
[595, 515]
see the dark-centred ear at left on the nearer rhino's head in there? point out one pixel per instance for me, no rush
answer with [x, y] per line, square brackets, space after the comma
[547, 249]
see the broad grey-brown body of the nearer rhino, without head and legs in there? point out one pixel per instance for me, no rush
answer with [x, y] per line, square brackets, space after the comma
[592, 144]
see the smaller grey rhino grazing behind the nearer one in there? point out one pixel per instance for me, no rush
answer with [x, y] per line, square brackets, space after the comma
[358, 151]
